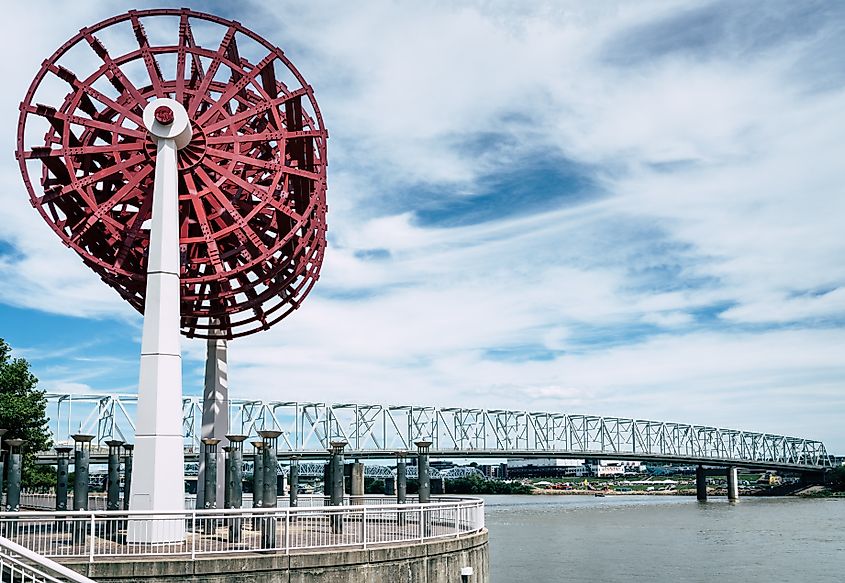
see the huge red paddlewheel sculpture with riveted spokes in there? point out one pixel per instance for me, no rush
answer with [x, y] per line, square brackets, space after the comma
[252, 184]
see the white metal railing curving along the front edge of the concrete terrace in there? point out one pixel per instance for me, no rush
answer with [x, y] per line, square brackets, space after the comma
[104, 535]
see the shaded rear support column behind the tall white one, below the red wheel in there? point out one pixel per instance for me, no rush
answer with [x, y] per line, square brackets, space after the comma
[215, 411]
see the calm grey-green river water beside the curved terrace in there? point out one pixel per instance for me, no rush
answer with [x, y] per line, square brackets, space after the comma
[540, 539]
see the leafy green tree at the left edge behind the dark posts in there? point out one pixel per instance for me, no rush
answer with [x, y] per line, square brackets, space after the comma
[23, 411]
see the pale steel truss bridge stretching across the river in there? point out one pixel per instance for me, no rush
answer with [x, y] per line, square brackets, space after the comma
[382, 431]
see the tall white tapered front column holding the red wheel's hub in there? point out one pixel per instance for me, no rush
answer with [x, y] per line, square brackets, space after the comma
[158, 480]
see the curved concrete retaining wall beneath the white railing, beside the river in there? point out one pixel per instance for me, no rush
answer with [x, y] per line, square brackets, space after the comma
[430, 562]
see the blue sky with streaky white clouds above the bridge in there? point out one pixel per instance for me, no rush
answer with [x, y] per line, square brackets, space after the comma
[630, 209]
